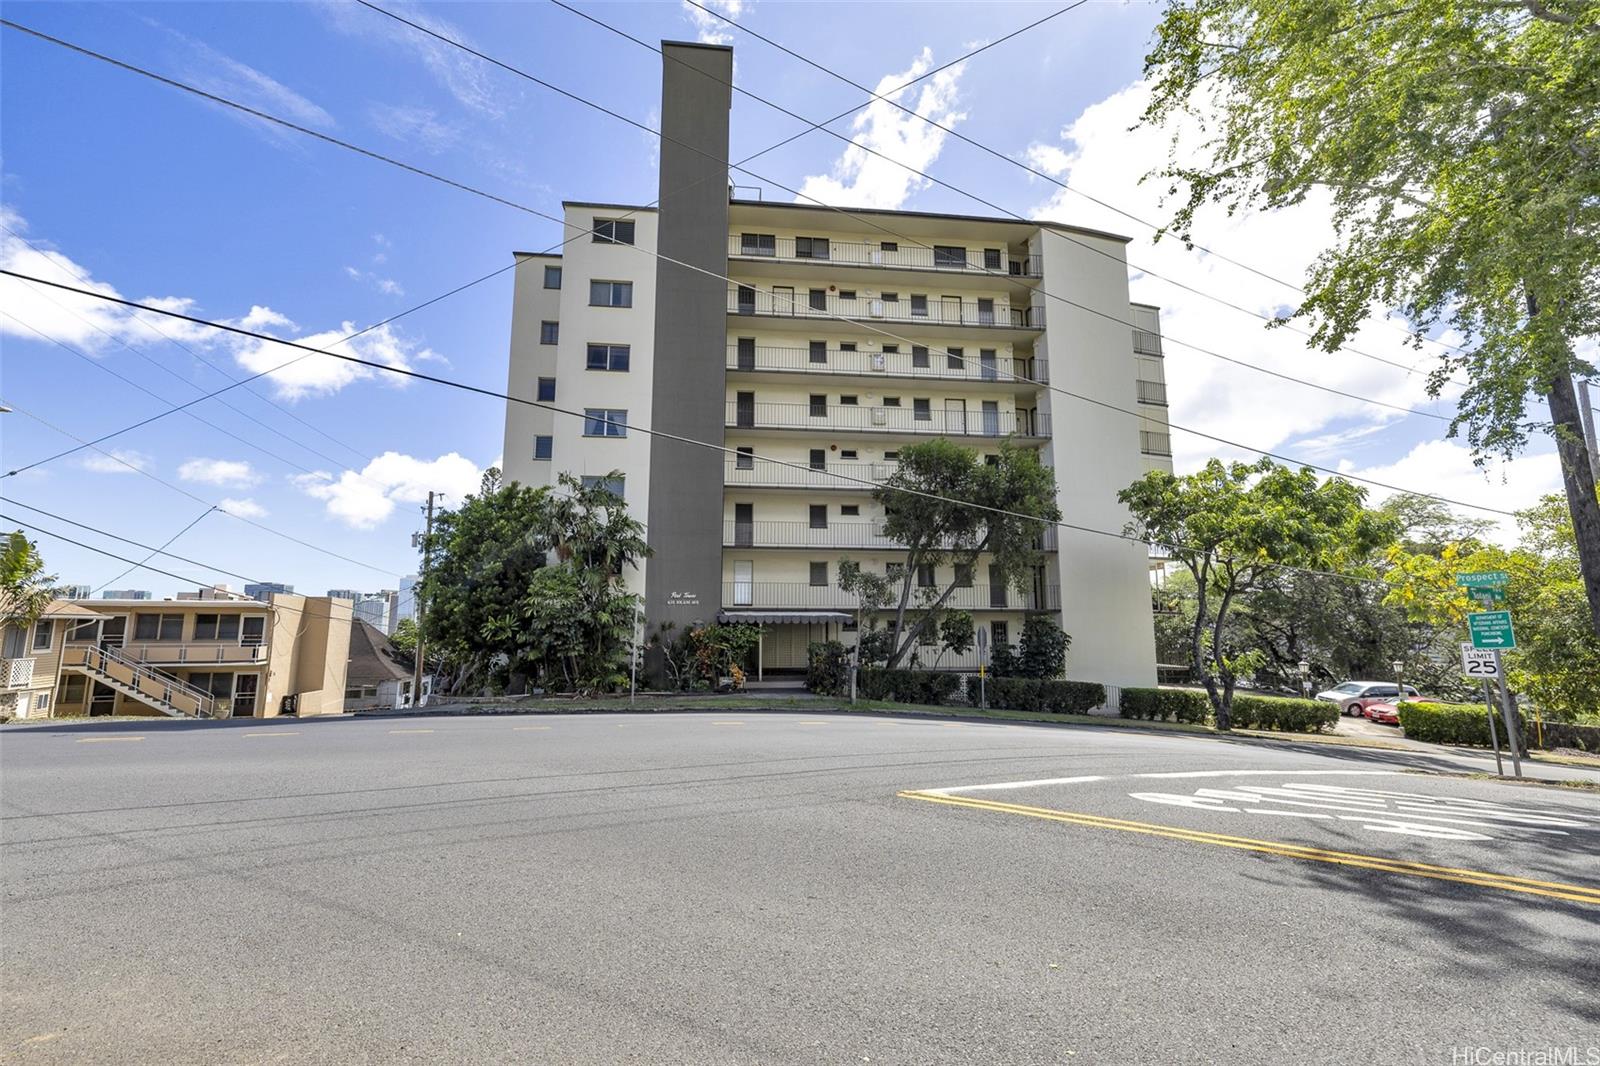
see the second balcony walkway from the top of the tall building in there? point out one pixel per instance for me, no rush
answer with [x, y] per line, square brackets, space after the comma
[932, 316]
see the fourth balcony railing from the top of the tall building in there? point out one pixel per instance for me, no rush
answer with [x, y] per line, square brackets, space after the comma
[945, 422]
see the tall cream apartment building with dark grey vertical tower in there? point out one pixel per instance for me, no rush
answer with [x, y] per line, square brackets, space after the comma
[814, 347]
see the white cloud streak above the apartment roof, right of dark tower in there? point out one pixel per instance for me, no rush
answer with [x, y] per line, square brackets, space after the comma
[863, 180]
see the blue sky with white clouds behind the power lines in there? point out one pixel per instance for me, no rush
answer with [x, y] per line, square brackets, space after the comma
[156, 194]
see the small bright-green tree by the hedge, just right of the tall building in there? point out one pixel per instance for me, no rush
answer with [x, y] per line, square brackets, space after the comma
[1234, 526]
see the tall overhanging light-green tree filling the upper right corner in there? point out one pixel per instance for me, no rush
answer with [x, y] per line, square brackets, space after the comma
[1460, 143]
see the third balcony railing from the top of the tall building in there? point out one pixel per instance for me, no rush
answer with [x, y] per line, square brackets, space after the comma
[929, 364]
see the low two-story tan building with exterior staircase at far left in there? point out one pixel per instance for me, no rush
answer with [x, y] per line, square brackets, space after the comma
[214, 655]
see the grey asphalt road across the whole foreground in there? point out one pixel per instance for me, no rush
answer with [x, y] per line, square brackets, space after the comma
[777, 889]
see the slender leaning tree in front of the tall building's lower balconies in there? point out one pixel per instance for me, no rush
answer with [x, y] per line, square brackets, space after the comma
[929, 508]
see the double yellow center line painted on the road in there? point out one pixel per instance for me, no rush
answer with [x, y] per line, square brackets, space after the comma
[1506, 883]
